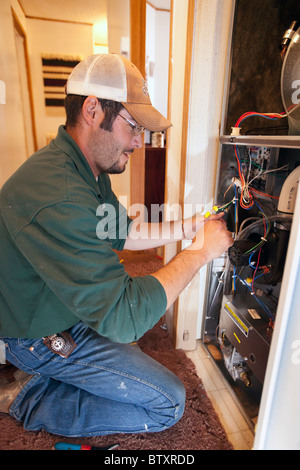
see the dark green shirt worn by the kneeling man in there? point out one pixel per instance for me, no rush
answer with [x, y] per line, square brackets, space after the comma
[58, 267]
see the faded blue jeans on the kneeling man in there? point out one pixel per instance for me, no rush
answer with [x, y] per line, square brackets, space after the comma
[101, 388]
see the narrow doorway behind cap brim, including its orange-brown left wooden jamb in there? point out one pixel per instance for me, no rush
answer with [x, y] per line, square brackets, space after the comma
[150, 26]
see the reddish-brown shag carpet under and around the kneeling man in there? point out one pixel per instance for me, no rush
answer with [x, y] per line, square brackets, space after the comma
[198, 429]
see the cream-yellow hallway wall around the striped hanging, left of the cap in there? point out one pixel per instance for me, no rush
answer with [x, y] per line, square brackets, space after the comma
[42, 37]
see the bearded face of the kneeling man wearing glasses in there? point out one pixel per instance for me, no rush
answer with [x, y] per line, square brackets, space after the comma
[109, 151]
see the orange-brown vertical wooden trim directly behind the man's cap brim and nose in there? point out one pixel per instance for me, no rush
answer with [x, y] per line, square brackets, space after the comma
[137, 56]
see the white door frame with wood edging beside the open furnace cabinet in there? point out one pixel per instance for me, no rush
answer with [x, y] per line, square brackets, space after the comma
[196, 115]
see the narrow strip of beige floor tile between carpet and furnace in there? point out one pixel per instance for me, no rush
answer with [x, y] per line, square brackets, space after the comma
[235, 425]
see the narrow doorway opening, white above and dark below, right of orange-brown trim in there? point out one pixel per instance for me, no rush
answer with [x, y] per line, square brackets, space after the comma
[157, 77]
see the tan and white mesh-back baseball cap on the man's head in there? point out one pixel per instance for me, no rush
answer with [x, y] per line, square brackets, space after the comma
[113, 77]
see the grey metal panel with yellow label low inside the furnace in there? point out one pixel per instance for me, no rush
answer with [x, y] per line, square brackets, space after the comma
[247, 331]
